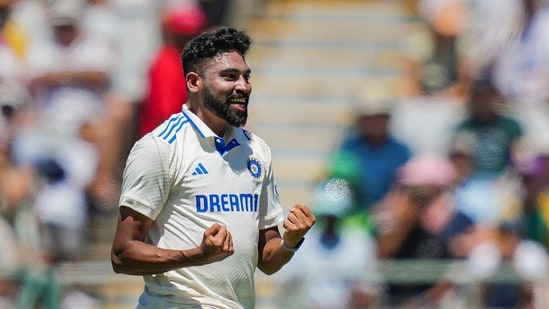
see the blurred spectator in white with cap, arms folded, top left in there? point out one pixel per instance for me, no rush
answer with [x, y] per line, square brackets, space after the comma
[69, 65]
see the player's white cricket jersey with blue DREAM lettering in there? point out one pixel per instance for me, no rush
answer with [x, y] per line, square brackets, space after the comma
[186, 178]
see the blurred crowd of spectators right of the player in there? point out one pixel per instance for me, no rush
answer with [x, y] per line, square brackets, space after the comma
[454, 168]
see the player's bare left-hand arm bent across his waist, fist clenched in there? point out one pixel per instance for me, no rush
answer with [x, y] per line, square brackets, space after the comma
[132, 255]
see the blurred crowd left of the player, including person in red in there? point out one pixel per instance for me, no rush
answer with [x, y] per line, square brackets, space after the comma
[80, 80]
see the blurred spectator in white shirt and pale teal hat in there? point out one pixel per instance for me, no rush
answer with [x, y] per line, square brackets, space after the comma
[336, 269]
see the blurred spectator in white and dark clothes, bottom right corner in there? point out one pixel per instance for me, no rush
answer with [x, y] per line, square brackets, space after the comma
[486, 249]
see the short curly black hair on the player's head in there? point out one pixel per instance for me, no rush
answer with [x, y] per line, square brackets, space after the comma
[211, 44]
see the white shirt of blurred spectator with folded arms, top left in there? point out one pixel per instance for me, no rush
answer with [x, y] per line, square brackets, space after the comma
[65, 108]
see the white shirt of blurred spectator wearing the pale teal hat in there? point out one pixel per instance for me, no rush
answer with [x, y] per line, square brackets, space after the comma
[321, 277]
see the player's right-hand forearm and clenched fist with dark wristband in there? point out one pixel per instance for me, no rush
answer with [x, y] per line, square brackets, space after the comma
[276, 250]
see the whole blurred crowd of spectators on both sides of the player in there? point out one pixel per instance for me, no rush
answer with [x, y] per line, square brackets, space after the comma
[454, 167]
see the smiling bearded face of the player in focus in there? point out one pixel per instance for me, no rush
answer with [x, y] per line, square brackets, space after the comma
[227, 88]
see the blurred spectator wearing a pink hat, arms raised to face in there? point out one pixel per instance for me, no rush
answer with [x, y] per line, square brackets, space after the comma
[418, 220]
